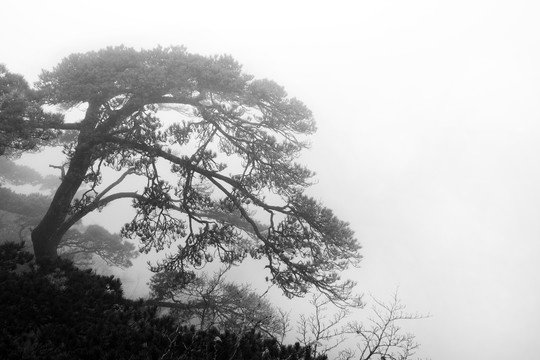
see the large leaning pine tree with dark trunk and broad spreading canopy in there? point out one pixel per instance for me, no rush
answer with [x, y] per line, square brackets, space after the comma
[210, 144]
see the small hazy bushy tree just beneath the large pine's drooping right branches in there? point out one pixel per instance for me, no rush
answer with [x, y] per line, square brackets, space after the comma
[212, 301]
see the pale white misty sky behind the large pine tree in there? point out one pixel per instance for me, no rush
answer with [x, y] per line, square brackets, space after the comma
[428, 143]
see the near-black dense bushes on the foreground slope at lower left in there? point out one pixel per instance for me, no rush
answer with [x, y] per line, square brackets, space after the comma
[60, 312]
